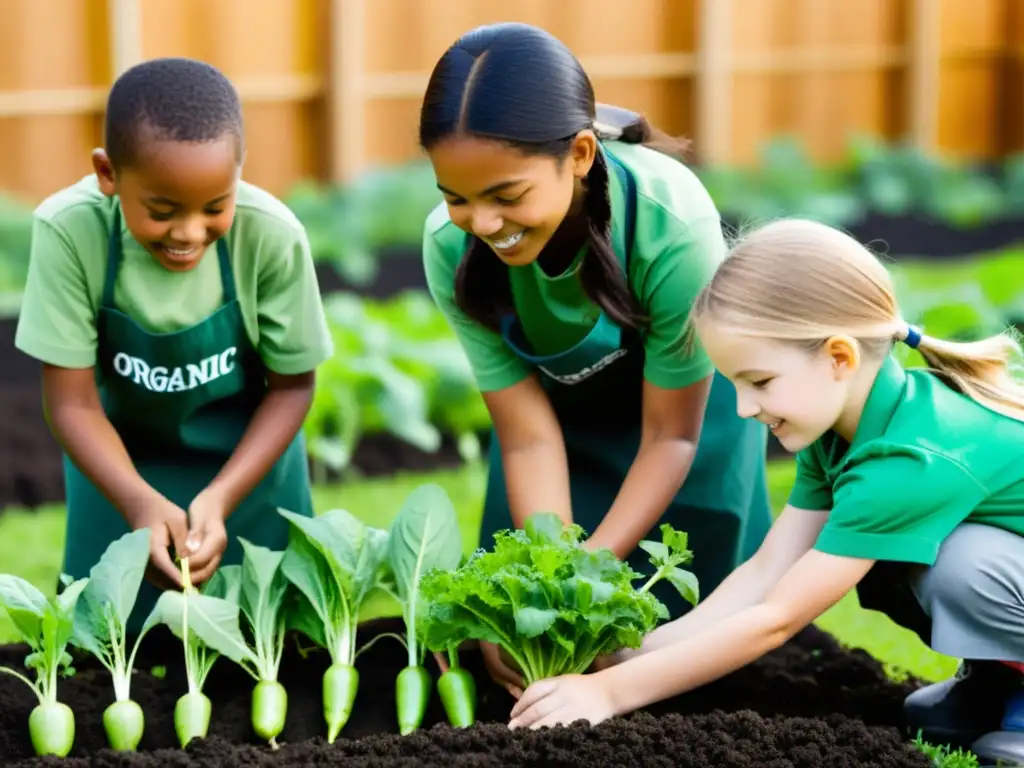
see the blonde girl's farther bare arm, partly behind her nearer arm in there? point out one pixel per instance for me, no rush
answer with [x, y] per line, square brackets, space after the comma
[790, 539]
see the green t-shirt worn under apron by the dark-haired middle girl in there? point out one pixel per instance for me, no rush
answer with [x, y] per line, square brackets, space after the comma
[676, 249]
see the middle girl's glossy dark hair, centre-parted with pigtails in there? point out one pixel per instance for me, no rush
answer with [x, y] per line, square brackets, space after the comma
[521, 86]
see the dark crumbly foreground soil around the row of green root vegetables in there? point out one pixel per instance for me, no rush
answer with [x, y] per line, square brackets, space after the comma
[809, 704]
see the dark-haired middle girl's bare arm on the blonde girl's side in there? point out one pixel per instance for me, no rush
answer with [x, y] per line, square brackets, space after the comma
[672, 420]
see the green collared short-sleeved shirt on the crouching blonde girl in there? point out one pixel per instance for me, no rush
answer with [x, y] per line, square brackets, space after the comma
[924, 460]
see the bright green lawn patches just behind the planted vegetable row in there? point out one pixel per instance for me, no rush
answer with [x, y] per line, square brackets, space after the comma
[32, 545]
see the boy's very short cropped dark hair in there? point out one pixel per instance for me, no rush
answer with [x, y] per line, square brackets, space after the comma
[181, 100]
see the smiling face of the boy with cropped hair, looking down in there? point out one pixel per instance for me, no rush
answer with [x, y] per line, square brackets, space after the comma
[178, 198]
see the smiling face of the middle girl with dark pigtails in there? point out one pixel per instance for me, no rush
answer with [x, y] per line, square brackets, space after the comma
[511, 200]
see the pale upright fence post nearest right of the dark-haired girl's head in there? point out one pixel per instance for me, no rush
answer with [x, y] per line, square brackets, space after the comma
[714, 81]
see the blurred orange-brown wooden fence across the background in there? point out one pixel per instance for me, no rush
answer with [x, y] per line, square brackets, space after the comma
[332, 88]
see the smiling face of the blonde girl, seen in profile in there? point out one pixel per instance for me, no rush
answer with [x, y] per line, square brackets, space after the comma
[799, 395]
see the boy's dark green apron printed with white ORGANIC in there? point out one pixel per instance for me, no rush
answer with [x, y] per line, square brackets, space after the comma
[181, 403]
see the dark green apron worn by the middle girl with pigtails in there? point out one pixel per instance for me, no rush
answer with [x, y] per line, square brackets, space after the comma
[596, 389]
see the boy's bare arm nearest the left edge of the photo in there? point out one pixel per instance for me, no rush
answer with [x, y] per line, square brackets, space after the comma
[76, 417]
